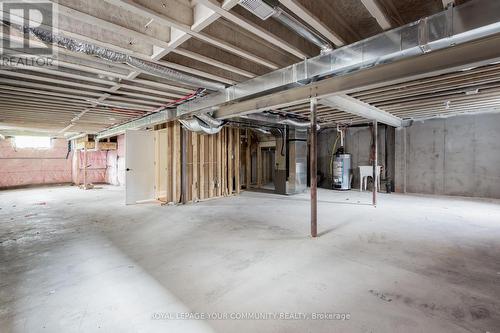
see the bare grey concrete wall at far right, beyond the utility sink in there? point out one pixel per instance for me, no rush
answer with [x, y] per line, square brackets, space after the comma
[451, 156]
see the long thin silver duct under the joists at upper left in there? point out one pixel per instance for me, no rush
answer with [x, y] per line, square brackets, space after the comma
[118, 57]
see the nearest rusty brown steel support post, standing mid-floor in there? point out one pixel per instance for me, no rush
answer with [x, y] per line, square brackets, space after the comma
[314, 169]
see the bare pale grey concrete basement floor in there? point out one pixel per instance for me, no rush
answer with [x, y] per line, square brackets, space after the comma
[76, 261]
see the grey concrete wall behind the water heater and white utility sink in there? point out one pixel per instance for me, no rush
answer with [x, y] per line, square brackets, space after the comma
[357, 143]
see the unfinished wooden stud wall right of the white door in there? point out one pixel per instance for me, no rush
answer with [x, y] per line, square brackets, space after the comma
[212, 164]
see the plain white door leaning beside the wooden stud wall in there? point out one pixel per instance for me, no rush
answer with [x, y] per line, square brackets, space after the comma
[139, 166]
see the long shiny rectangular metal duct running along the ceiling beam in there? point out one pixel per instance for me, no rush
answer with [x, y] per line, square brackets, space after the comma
[471, 21]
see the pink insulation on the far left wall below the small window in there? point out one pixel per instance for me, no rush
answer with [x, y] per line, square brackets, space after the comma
[29, 166]
